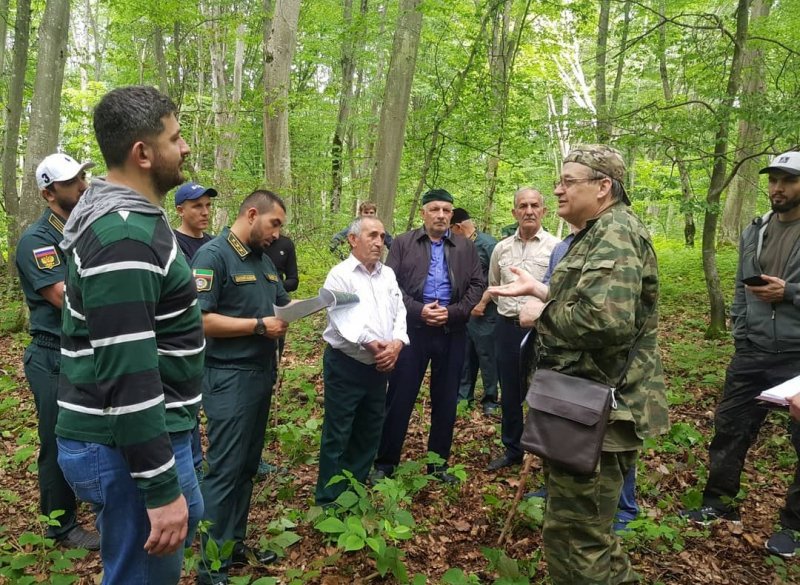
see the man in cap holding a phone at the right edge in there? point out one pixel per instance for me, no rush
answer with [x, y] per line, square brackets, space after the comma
[766, 323]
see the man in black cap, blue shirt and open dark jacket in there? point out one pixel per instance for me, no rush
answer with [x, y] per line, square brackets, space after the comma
[440, 276]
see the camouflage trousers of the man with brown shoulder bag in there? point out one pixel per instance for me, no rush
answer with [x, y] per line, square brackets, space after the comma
[580, 545]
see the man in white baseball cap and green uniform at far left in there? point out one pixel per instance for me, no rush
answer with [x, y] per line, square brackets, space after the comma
[41, 267]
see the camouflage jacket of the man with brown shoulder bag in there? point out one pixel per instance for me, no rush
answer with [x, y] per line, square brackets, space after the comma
[600, 294]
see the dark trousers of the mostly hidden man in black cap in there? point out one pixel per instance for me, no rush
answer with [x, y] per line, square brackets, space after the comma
[480, 355]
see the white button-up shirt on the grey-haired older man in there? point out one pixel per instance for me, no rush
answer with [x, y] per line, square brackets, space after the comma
[379, 315]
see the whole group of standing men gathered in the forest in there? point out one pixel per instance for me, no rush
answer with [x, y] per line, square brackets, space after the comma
[142, 333]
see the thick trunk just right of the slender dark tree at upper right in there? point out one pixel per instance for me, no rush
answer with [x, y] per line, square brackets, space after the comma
[741, 200]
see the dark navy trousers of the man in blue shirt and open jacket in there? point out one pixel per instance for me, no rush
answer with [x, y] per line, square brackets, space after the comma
[444, 350]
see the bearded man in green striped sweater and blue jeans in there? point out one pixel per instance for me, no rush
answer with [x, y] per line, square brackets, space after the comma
[132, 346]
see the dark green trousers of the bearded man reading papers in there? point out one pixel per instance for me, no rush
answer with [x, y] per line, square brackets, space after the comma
[236, 403]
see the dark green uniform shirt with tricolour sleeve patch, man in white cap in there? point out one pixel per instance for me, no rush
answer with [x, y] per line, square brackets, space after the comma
[40, 263]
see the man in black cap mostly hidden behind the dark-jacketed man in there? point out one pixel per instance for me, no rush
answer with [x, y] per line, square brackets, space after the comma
[480, 352]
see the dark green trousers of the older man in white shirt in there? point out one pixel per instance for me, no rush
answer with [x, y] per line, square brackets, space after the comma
[355, 399]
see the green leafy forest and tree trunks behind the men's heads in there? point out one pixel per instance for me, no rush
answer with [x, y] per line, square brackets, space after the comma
[332, 102]
